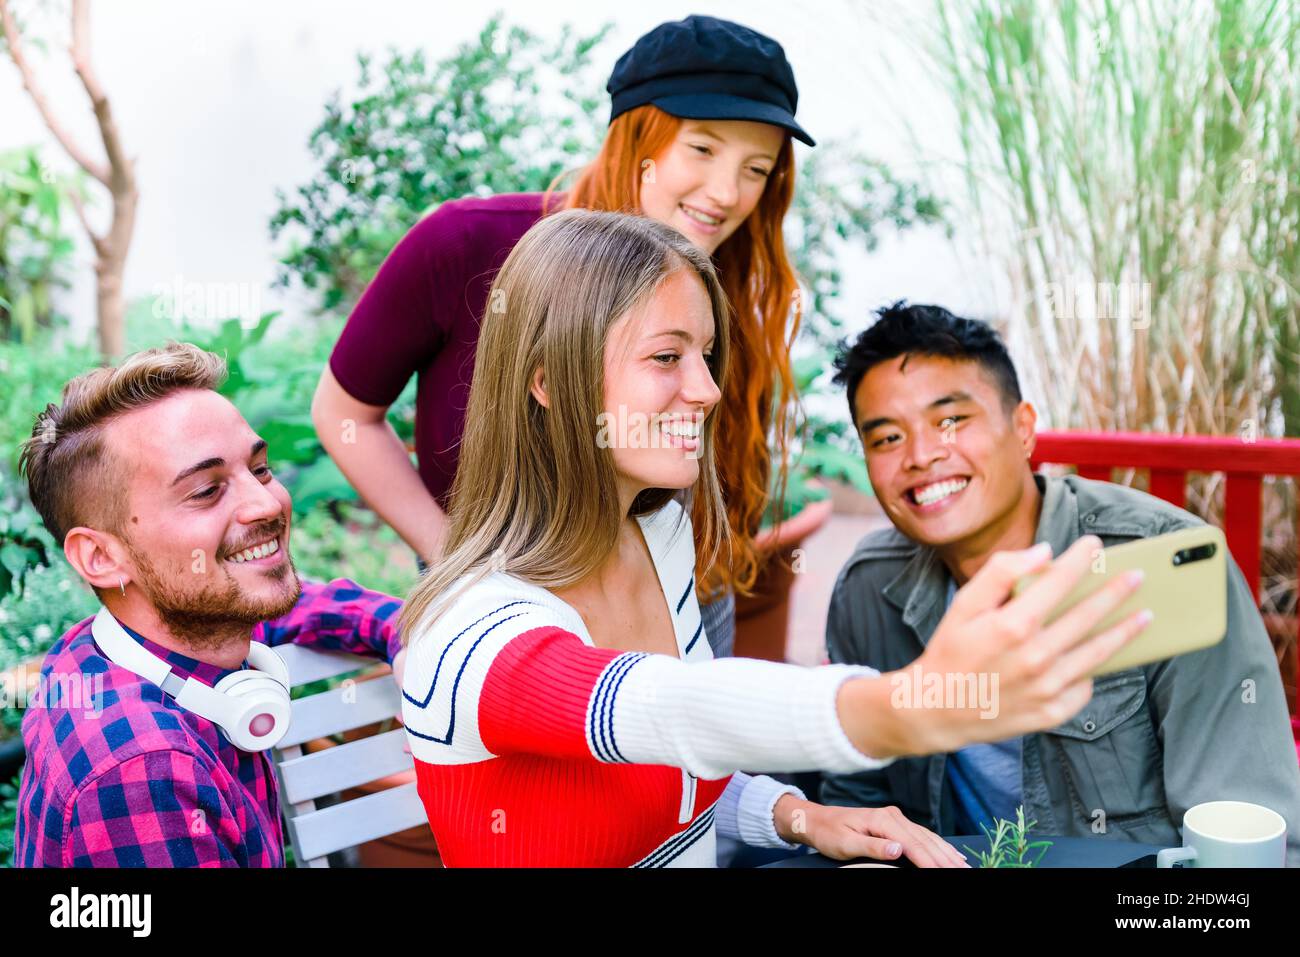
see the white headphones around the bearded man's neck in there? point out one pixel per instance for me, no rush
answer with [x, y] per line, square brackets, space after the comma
[252, 707]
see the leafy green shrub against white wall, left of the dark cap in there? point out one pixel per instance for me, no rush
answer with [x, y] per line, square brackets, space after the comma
[415, 135]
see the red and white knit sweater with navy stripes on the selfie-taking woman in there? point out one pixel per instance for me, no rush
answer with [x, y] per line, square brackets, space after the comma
[535, 748]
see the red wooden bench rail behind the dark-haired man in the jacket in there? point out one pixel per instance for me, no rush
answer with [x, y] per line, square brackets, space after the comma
[1168, 460]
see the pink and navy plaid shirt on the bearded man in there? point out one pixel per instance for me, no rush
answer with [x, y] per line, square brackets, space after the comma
[119, 776]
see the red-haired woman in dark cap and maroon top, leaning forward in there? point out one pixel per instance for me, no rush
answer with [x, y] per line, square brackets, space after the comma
[700, 140]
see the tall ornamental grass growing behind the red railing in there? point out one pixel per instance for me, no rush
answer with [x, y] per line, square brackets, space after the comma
[1136, 168]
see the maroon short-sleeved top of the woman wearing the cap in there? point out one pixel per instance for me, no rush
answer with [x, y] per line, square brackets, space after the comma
[421, 317]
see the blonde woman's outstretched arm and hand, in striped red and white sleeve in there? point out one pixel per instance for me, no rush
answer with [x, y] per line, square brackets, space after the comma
[504, 674]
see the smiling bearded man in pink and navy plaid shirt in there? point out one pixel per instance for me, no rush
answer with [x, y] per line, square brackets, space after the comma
[164, 504]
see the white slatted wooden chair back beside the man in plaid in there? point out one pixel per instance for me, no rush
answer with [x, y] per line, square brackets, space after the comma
[314, 832]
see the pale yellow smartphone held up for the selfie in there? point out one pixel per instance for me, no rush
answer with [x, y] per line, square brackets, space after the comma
[1185, 587]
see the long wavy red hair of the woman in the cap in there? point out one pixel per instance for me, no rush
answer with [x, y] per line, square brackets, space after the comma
[759, 396]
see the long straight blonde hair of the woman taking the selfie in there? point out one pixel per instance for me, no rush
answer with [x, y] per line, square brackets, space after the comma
[535, 493]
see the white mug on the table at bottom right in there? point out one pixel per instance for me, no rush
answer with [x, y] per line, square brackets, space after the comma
[1229, 834]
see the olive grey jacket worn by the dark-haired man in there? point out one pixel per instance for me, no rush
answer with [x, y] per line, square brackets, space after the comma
[1152, 742]
